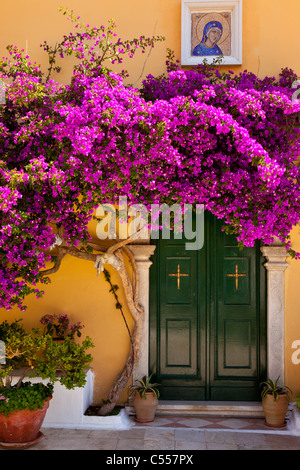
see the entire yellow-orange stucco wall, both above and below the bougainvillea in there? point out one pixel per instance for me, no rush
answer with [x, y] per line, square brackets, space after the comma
[270, 42]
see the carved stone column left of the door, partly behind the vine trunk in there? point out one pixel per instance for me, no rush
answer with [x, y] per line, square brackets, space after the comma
[142, 255]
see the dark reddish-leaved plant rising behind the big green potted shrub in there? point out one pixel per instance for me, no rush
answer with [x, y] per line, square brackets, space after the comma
[59, 327]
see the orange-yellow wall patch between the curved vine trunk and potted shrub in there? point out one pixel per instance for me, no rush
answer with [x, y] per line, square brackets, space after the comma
[75, 290]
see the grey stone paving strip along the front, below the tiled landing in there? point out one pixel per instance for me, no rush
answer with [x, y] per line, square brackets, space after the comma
[164, 439]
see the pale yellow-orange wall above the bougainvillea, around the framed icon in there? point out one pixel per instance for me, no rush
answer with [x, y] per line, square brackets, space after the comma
[270, 29]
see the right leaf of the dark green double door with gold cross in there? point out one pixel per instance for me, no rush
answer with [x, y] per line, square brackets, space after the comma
[237, 337]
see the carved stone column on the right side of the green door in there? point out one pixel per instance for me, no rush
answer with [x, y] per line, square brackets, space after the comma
[276, 265]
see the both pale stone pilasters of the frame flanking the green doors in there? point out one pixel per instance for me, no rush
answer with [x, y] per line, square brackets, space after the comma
[275, 264]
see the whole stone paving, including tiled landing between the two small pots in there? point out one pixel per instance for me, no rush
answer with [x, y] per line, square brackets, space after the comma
[184, 433]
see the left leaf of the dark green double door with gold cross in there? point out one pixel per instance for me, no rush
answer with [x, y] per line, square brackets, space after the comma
[178, 322]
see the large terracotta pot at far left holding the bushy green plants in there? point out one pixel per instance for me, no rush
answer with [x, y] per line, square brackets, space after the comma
[22, 426]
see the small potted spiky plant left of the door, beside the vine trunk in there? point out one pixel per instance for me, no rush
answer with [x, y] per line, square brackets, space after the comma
[145, 399]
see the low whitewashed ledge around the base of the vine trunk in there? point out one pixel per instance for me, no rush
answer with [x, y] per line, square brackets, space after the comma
[67, 408]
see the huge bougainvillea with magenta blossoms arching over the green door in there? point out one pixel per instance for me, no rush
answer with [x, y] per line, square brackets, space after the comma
[199, 136]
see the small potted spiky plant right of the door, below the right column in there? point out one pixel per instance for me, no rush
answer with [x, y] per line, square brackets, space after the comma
[275, 402]
